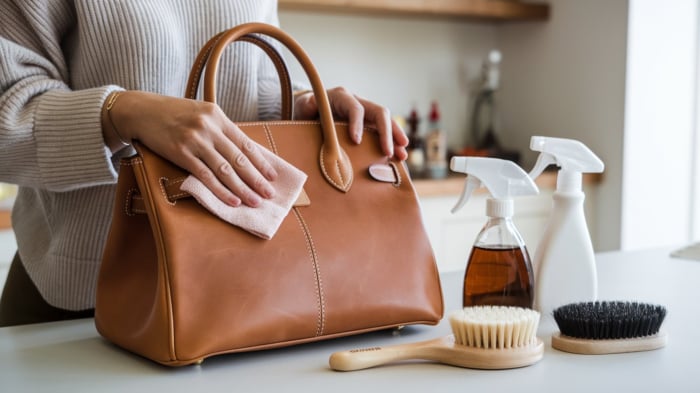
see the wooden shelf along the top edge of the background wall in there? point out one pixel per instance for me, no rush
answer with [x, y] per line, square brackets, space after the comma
[485, 10]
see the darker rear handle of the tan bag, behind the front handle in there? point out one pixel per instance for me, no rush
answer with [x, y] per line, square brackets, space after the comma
[281, 67]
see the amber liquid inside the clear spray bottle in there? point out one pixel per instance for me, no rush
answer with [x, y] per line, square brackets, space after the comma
[499, 276]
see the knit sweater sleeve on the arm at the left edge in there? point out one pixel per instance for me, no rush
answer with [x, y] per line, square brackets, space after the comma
[50, 136]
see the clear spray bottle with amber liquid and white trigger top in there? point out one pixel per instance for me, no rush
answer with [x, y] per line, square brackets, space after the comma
[499, 271]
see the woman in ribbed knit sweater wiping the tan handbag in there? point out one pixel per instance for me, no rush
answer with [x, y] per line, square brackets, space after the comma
[62, 63]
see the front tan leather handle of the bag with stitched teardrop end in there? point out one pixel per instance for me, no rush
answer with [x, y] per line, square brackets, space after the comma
[335, 163]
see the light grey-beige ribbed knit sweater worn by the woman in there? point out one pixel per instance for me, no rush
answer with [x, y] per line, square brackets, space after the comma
[59, 60]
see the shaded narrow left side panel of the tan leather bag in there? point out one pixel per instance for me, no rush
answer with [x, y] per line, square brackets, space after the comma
[130, 310]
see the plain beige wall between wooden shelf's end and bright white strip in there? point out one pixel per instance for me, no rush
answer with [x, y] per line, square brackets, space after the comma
[566, 78]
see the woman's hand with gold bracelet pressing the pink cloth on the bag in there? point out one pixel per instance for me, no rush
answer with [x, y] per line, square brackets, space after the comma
[200, 138]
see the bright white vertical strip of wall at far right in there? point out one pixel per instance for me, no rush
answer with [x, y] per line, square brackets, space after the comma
[659, 143]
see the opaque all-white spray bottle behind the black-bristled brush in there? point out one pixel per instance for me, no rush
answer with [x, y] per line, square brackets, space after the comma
[565, 269]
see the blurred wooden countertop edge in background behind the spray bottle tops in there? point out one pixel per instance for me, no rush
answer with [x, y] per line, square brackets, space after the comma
[454, 184]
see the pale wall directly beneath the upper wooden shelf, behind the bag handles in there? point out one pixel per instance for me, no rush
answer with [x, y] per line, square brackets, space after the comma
[397, 61]
